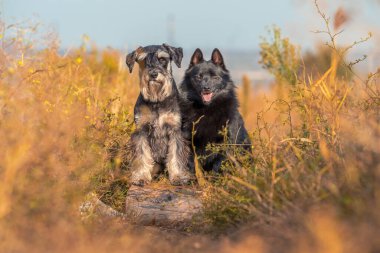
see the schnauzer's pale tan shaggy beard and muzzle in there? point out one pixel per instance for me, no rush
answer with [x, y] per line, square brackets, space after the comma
[155, 90]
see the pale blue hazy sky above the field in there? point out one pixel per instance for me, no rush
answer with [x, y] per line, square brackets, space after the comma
[198, 23]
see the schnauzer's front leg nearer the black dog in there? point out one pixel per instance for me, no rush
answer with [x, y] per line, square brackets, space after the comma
[177, 160]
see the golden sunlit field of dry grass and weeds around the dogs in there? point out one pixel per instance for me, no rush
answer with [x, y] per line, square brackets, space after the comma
[311, 184]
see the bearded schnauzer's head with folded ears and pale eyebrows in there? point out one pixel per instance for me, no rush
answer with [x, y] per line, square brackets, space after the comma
[155, 69]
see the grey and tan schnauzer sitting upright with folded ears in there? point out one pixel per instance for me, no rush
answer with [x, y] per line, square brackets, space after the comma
[158, 141]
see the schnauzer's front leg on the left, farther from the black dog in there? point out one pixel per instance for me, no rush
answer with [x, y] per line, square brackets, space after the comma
[143, 162]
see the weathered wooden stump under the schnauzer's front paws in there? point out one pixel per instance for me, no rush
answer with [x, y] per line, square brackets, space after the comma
[163, 205]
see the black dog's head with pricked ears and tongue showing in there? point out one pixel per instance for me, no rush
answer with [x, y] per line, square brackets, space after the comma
[207, 81]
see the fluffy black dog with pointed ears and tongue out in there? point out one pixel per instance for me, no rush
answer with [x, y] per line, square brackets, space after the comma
[207, 91]
